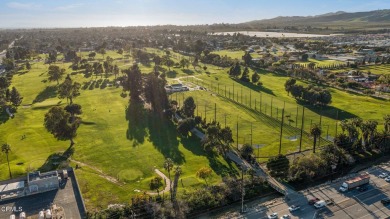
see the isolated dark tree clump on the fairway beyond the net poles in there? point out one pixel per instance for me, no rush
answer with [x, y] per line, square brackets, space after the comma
[313, 95]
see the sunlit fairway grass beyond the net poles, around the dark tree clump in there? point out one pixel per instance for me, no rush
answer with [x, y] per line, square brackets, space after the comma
[344, 105]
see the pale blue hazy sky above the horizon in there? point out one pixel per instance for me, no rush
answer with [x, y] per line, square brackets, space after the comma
[92, 13]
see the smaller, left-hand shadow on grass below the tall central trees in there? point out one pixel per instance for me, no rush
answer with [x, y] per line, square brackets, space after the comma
[137, 117]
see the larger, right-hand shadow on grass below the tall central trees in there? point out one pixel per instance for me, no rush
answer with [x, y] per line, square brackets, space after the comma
[163, 135]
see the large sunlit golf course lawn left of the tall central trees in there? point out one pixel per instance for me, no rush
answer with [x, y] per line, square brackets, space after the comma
[101, 143]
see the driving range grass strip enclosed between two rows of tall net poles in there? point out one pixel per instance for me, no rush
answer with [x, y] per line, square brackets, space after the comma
[265, 131]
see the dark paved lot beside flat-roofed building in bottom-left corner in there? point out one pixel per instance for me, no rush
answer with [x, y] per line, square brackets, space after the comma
[67, 197]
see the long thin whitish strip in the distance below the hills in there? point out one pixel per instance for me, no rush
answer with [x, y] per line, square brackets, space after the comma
[275, 34]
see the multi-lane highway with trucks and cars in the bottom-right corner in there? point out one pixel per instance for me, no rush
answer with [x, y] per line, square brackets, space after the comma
[349, 205]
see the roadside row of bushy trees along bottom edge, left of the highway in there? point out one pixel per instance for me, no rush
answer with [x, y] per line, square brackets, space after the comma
[191, 202]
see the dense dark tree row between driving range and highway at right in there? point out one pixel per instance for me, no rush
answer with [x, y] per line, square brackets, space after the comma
[357, 137]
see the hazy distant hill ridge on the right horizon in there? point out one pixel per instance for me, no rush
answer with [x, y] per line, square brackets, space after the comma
[340, 18]
